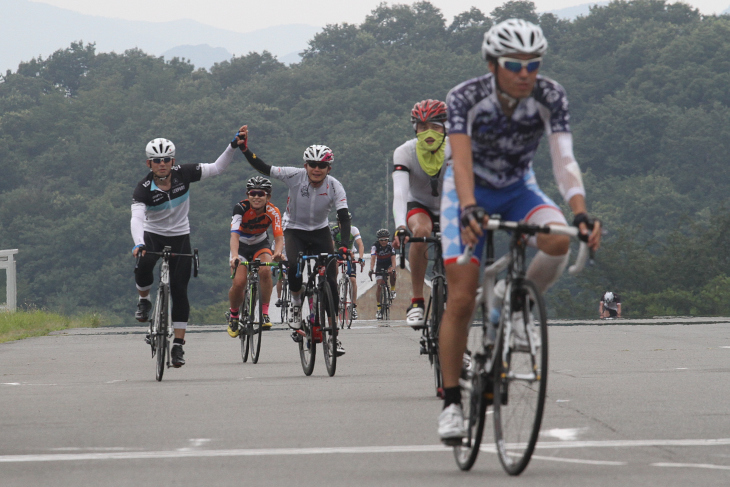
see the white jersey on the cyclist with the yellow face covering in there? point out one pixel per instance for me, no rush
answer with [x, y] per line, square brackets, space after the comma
[411, 183]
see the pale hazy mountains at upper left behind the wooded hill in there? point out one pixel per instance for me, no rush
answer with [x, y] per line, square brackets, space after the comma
[31, 29]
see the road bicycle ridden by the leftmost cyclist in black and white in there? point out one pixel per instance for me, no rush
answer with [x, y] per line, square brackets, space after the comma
[160, 330]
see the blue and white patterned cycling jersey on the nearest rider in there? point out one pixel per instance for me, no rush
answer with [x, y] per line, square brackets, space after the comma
[503, 147]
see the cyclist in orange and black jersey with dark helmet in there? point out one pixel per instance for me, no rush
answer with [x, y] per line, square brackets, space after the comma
[250, 241]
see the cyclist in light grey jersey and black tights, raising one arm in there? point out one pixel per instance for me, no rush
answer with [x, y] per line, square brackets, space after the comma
[312, 194]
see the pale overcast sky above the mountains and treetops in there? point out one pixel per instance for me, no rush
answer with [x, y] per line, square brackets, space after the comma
[250, 15]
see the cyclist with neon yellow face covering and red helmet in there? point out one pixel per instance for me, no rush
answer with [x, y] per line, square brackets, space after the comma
[418, 176]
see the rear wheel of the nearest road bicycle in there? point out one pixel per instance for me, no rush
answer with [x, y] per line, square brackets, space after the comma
[474, 404]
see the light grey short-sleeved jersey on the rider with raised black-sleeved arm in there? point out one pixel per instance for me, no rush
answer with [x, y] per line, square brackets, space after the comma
[307, 207]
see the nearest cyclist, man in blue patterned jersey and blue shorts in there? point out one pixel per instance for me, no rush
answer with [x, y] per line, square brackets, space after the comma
[495, 124]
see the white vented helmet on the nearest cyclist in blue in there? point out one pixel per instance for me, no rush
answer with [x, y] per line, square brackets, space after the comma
[513, 36]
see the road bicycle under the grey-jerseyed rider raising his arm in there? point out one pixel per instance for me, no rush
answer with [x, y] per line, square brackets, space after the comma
[319, 321]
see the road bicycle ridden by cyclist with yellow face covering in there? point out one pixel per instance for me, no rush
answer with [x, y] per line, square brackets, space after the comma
[435, 308]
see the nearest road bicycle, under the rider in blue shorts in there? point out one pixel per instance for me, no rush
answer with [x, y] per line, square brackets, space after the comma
[506, 366]
